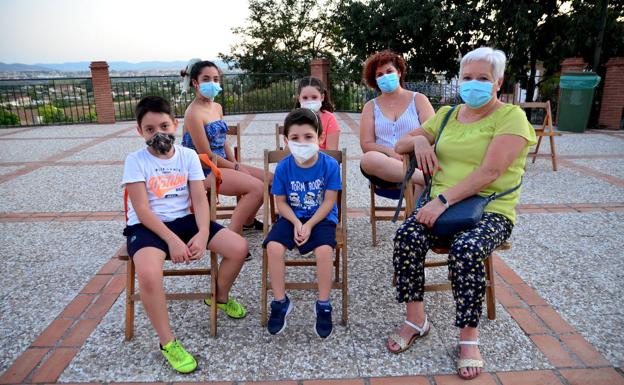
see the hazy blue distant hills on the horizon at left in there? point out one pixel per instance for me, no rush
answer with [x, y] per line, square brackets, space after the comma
[113, 66]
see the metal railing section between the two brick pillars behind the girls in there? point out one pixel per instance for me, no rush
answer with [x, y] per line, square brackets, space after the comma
[242, 93]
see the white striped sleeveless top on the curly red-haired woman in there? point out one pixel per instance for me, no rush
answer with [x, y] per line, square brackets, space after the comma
[388, 132]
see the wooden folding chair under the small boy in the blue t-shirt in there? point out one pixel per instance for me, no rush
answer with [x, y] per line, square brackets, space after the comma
[340, 259]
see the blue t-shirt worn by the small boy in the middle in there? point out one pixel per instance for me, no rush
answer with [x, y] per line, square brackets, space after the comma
[305, 188]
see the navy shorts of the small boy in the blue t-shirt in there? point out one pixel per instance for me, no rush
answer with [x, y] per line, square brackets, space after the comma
[282, 231]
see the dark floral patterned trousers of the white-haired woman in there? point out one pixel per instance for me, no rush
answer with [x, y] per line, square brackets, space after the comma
[467, 252]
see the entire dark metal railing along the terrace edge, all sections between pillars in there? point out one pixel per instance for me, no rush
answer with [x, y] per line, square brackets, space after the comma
[28, 102]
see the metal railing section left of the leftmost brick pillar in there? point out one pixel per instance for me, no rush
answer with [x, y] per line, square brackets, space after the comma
[31, 102]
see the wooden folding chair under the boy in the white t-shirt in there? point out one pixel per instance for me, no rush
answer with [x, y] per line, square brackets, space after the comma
[132, 296]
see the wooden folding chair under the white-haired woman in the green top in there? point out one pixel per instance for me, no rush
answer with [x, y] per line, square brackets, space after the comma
[429, 263]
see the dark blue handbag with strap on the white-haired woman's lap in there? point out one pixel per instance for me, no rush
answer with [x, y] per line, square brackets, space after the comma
[461, 216]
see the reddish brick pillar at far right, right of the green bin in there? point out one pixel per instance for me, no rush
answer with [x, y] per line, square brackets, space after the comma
[612, 104]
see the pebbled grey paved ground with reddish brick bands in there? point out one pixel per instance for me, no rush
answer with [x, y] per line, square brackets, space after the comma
[559, 318]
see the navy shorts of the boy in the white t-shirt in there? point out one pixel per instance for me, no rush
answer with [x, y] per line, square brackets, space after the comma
[138, 236]
